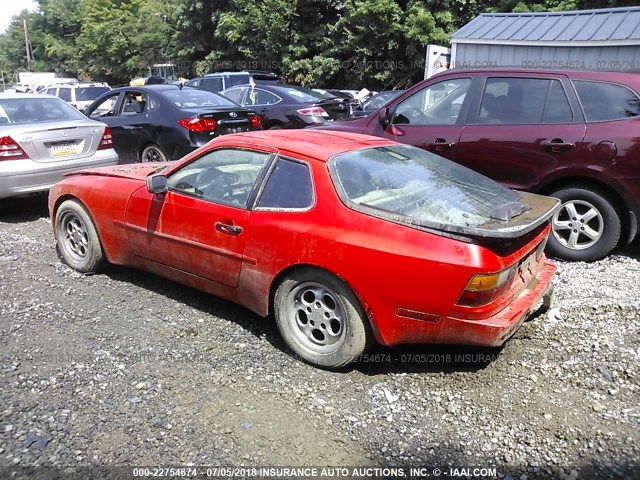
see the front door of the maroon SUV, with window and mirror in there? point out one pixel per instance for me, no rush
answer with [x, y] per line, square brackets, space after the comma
[431, 118]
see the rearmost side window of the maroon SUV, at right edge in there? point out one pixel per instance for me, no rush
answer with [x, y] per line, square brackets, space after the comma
[606, 101]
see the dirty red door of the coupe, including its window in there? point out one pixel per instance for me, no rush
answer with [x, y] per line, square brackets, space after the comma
[200, 224]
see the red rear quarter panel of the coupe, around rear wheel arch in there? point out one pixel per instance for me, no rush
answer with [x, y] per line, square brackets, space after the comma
[387, 265]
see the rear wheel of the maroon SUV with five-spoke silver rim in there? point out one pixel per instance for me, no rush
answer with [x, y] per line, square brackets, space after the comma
[587, 226]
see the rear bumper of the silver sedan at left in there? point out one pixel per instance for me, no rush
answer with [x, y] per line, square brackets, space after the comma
[19, 177]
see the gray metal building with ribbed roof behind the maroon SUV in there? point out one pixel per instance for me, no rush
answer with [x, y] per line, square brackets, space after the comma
[605, 39]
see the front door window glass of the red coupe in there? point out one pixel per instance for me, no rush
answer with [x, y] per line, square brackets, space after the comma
[225, 176]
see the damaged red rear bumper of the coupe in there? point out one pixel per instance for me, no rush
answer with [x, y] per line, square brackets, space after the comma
[496, 330]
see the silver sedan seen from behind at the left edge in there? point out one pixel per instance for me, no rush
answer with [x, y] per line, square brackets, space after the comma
[42, 138]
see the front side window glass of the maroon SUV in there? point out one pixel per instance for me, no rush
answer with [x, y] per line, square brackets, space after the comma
[437, 104]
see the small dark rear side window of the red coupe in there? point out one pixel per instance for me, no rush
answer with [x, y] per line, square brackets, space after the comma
[289, 187]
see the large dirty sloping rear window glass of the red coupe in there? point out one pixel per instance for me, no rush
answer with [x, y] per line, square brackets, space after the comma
[421, 187]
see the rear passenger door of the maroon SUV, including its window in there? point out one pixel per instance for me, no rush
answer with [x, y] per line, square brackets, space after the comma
[521, 128]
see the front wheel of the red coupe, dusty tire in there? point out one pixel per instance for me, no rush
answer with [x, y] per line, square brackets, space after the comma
[77, 238]
